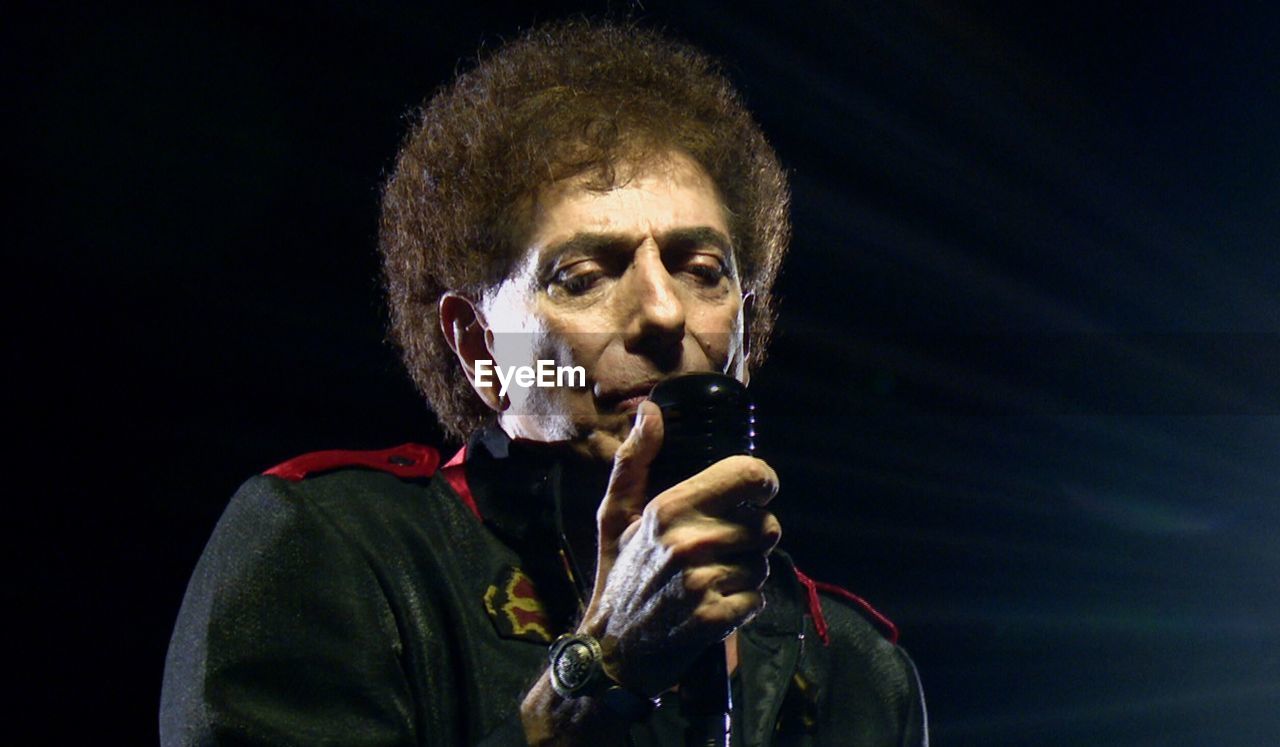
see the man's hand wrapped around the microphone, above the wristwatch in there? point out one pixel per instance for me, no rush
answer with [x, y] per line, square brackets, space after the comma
[678, 574]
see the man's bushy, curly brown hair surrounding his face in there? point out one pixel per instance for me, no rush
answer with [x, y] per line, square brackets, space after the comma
[568, 99]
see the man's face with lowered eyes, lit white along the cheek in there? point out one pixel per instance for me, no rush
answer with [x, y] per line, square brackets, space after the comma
[634, 285]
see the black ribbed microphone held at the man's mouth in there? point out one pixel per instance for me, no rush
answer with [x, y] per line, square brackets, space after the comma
[706, 419]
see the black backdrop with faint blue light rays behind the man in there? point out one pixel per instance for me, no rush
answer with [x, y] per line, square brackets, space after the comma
[1023, 395]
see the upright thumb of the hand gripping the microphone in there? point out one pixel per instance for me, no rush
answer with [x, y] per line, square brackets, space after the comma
[625, 498]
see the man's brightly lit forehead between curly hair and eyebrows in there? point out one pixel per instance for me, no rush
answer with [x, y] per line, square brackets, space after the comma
[652, 198]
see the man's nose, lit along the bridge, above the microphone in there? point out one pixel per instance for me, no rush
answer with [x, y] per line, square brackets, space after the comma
[655, 324]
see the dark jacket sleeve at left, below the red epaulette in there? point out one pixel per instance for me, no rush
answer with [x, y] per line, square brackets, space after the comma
[285, 636]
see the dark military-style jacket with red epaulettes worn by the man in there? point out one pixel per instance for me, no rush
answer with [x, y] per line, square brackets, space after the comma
[378, 604]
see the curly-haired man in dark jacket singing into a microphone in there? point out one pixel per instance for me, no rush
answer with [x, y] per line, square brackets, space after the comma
[596, 198]
